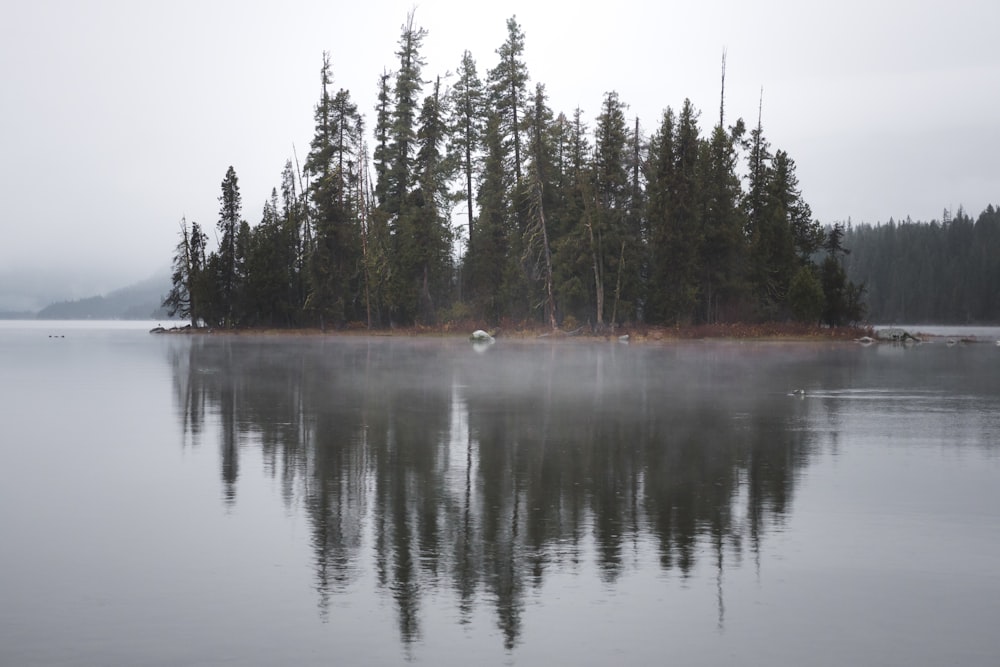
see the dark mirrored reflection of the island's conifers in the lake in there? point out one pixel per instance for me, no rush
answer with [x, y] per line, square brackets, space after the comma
[477, 475]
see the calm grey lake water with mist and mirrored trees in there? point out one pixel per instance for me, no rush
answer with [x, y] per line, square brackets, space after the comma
[170, 500]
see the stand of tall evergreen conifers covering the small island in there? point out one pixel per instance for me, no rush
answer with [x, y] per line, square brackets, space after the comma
[556, 224]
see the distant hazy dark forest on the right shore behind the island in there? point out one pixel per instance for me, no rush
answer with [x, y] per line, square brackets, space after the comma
[945, 271]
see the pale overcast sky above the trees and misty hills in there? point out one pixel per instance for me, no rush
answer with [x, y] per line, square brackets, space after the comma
[119, 117]
